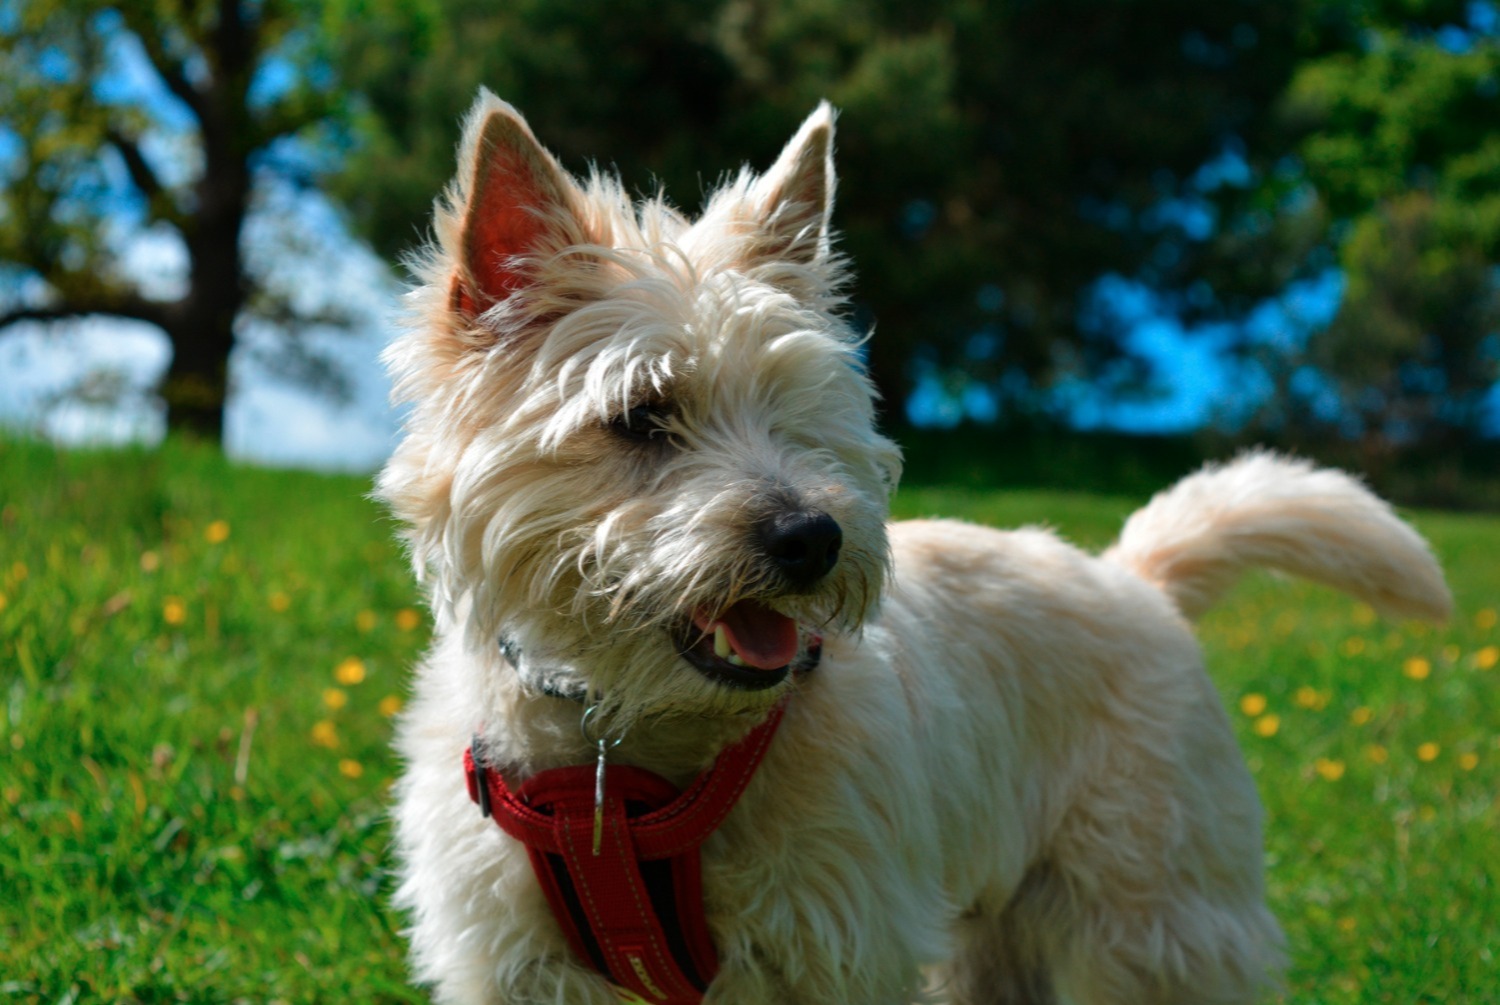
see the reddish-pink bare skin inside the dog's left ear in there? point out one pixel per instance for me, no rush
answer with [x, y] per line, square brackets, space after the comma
[503, 223]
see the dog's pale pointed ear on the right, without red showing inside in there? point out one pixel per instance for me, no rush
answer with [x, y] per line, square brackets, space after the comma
[796, 197]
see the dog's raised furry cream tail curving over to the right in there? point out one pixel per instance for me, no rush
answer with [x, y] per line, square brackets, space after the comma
[1198, 538]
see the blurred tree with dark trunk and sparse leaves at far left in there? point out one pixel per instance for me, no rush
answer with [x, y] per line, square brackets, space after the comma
[233, 88]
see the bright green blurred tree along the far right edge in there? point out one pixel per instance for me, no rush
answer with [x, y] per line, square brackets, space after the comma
[1399, 140]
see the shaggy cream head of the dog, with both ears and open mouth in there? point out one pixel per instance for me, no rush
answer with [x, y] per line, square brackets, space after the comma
[641, 451]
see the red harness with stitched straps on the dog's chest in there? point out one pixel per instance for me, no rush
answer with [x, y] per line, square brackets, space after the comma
[637, 908]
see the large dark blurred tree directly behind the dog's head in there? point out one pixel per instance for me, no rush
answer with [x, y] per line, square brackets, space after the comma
[995, 158]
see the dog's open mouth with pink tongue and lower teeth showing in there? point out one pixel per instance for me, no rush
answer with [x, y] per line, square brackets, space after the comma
[749, 646]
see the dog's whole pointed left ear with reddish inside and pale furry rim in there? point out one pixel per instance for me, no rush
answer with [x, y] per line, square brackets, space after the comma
[514, 199]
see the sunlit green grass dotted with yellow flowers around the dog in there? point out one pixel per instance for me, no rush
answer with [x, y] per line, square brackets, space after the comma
[199, 662]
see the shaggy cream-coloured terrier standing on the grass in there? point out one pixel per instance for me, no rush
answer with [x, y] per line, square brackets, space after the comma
[643, 485]
